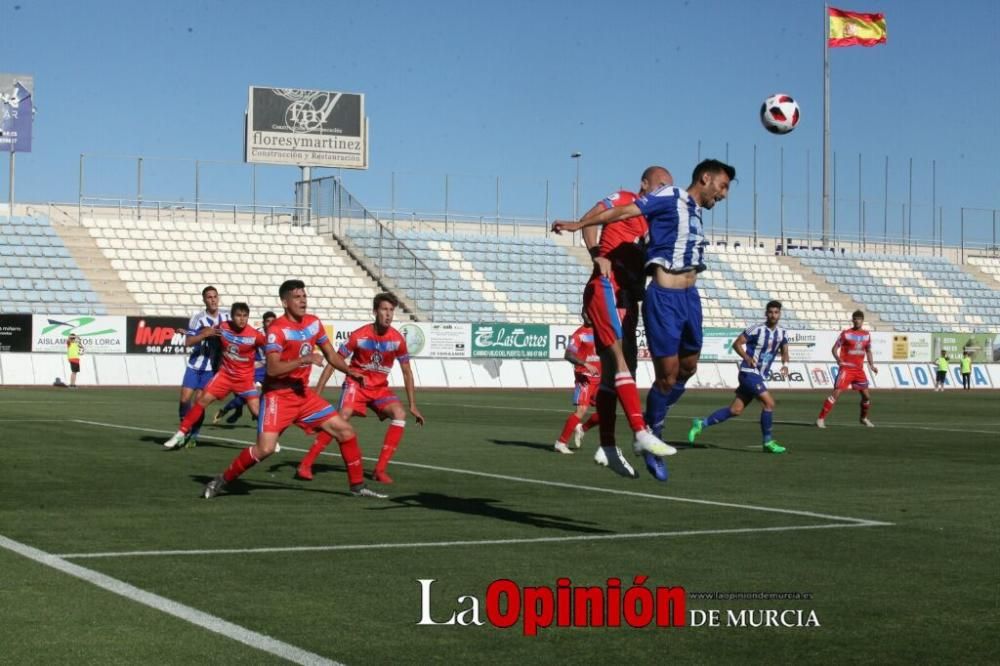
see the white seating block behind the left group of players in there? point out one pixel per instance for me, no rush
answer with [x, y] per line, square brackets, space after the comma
[164, 265]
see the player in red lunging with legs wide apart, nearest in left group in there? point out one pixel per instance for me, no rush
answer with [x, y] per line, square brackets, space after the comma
[291, 346]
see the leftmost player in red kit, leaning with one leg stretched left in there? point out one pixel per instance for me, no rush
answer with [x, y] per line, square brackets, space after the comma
[239, 348]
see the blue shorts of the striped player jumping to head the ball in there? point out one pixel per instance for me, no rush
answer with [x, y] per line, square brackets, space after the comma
[673, 320]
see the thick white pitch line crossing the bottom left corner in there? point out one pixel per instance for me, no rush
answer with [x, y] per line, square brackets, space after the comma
[196, 617]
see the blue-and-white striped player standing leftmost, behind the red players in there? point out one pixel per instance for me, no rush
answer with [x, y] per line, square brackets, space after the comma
[203, 338]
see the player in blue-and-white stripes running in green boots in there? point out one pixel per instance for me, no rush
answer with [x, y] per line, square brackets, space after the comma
[757, 346]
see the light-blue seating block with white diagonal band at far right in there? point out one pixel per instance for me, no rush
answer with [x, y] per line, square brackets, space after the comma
[924, 293]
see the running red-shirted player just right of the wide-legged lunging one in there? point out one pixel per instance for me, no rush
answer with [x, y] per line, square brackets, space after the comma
[373, 349]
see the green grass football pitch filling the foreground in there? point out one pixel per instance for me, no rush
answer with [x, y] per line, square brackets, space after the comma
[109, 556]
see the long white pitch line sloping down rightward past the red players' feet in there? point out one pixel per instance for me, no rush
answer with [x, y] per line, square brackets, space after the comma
[554, 484]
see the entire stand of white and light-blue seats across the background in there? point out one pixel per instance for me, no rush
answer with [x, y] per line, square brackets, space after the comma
[159, 267]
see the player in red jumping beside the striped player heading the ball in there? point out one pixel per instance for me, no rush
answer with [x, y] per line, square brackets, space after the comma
[611, 300]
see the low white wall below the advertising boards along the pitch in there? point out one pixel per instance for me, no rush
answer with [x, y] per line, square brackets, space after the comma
[46, 369]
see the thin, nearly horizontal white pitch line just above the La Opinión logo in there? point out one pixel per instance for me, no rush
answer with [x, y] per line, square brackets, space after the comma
[448, 544]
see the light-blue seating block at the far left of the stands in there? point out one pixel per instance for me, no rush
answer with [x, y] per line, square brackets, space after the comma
[37, 273]
